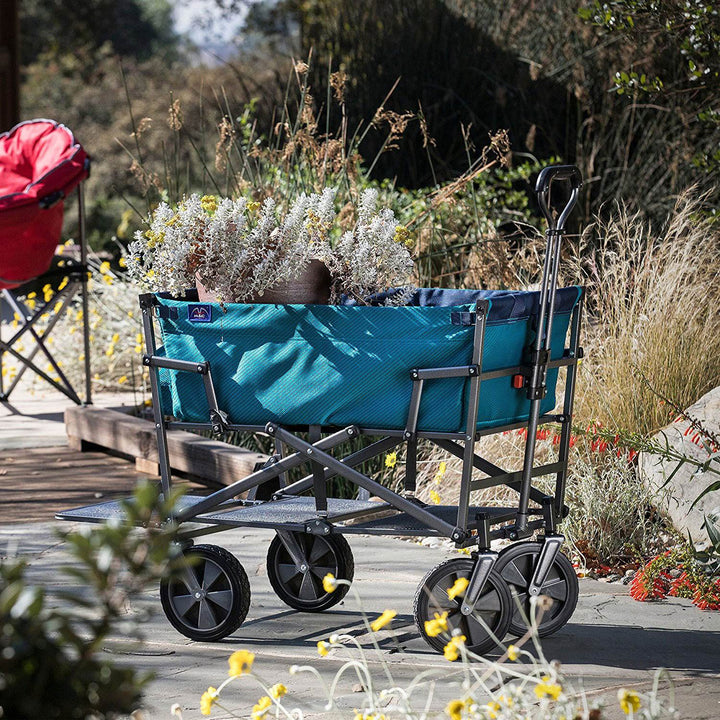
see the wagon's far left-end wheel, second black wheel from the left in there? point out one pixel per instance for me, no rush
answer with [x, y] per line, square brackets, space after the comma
[301, 585]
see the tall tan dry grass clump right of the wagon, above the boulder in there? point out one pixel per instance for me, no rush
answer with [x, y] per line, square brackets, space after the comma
[653, 302]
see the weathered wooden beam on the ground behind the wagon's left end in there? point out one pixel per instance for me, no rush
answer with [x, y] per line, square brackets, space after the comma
[204, 459]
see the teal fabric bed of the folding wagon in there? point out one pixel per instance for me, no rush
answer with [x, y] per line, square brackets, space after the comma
[339, 365]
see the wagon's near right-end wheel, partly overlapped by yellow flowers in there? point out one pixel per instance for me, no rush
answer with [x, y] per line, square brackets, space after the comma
[491, 616]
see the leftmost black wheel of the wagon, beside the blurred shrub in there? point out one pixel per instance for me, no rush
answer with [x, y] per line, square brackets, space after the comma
[211, 598]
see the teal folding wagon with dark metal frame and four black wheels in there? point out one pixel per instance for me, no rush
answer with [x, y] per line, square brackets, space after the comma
[447, 368]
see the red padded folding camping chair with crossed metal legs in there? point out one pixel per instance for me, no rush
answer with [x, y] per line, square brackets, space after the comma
[40, 164]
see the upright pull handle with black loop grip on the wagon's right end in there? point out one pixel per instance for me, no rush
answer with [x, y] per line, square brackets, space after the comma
[556, 219]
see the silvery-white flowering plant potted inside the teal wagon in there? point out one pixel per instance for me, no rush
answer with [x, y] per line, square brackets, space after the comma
[239, 249]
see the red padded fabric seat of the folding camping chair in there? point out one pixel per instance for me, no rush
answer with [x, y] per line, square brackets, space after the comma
[40, 163]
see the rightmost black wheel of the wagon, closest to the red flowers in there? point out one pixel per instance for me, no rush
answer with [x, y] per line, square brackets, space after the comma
[516, 564]
